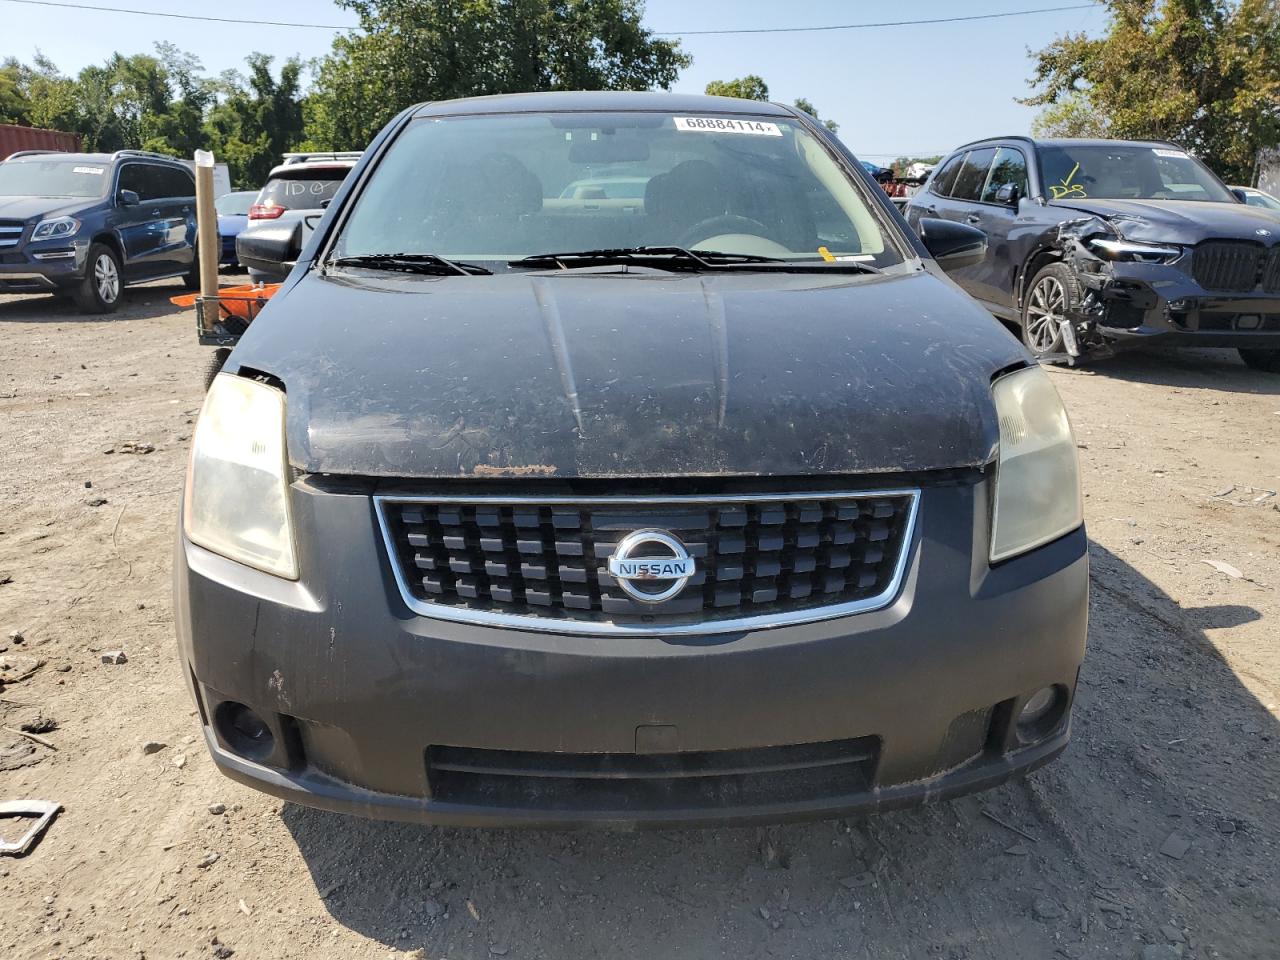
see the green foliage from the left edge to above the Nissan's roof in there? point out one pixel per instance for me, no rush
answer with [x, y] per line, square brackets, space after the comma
[405, 53]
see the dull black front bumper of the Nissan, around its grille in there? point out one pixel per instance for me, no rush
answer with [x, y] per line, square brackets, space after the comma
[380, 712]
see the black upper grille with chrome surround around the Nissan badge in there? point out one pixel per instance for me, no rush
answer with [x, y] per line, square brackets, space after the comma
[758, 560]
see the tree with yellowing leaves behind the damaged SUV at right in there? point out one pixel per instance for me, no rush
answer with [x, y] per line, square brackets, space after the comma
[1204, 74]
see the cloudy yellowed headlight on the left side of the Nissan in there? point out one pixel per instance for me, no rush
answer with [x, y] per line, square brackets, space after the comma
[237, 499]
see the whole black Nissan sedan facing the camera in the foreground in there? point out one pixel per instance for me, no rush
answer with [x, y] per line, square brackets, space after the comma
[531, 500]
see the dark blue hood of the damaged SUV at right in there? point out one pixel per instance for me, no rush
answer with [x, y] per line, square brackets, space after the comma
[1180, 221]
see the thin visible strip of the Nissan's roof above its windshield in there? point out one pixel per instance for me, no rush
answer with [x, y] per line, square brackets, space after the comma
[572, 102]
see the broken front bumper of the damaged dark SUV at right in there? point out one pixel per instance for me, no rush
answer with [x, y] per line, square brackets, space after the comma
[1144, 304]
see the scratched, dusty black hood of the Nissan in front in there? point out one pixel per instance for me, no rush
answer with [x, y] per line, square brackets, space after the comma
[632, 374]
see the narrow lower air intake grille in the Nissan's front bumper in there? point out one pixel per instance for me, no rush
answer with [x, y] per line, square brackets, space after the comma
[715, 780]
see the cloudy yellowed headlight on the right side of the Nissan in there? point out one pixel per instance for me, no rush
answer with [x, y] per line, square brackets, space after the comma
[1037, 477]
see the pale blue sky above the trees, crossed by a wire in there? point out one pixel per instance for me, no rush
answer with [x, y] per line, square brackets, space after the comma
[895, 92]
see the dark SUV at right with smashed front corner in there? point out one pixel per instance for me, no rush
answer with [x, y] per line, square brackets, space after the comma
[1095, 245]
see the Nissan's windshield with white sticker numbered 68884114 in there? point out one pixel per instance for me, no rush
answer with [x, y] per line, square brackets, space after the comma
[505, 188]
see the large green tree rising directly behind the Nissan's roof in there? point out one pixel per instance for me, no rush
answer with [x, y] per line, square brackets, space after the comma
[413, 51]
